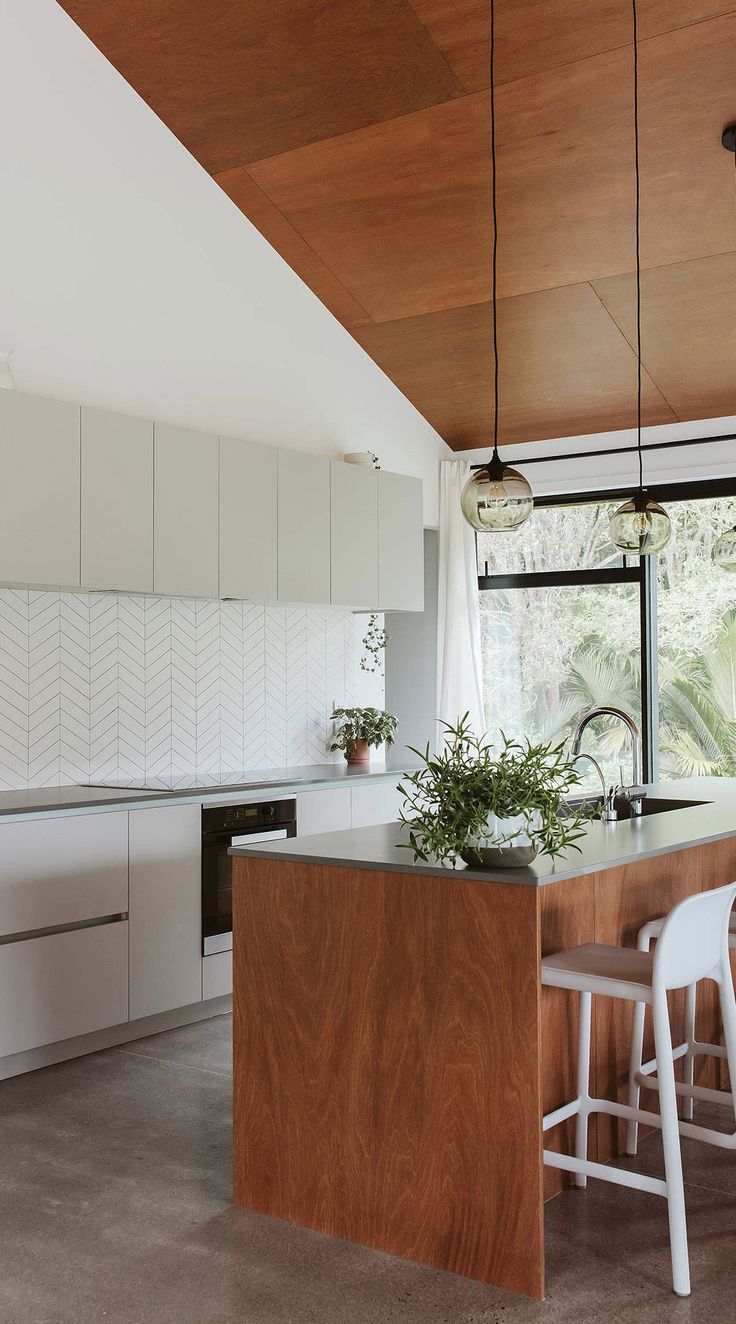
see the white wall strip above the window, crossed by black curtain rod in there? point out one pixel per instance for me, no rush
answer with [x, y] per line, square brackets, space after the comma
[682, 464]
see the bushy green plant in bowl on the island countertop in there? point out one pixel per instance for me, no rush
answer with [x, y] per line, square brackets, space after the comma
[494, 811]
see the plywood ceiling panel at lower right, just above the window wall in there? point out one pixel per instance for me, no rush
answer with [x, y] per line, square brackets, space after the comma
[689, 332]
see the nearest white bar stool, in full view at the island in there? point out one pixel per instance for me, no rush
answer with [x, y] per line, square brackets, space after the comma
[693, 946]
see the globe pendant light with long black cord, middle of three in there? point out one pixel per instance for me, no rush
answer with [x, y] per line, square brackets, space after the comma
[641, 528]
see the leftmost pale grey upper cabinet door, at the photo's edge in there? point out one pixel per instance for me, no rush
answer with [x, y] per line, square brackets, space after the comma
[39, 491]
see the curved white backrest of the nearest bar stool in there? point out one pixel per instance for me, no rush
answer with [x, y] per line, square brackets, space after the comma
[694, 942]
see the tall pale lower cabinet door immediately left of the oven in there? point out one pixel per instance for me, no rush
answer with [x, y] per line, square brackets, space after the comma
[166, 967]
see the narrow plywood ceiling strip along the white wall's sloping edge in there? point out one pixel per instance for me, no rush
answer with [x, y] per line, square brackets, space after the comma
[261, 213]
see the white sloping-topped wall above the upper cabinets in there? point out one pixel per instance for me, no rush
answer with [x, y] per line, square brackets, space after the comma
[130, 281]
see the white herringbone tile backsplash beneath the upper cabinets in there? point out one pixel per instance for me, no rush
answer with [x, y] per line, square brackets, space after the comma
[104, 686]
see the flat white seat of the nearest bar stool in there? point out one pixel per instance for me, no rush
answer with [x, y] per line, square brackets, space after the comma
[598, 969]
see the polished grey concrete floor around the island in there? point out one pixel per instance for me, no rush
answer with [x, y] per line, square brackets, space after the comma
[115, 1207]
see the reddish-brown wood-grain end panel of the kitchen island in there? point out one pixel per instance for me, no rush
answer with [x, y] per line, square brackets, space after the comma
[387, 1063]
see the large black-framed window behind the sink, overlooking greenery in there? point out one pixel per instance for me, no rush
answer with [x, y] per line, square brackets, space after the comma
[569, 624]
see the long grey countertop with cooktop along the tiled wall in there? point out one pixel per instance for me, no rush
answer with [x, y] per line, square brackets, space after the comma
[272, 784]
